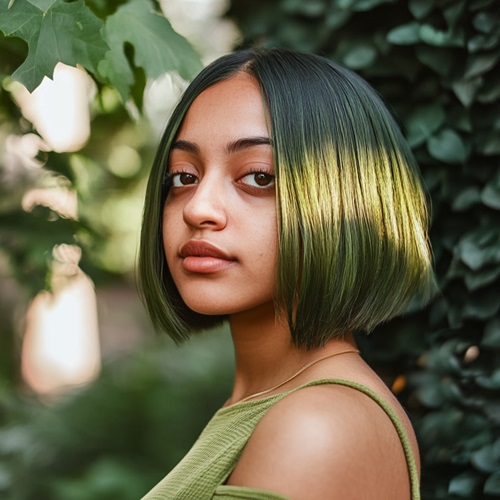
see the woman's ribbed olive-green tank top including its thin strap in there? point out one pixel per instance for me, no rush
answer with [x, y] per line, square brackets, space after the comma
[202, 472]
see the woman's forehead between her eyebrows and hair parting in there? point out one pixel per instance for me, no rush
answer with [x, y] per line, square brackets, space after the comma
[230, 109]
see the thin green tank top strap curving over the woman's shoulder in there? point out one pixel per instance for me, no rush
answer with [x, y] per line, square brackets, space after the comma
[391, 413]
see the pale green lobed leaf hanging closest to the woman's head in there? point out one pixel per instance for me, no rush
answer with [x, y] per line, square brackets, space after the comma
[158, 49]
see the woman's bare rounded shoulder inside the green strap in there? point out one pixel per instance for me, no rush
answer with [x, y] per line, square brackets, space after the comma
[325, 441]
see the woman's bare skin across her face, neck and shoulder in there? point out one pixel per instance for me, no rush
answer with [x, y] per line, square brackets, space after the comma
[324, 442]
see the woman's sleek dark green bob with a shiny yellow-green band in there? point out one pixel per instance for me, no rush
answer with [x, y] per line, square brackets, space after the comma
[353, 249]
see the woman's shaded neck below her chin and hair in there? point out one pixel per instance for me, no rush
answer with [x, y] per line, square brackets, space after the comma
[265, 355]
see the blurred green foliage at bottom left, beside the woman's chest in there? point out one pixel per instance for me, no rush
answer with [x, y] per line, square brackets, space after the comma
[116, 438]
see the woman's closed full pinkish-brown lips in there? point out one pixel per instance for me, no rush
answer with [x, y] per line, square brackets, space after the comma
[203, 257]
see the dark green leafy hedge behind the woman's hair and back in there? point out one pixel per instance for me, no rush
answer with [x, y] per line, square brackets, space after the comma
[437, 63]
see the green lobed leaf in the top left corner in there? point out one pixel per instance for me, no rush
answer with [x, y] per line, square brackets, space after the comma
[55, 31]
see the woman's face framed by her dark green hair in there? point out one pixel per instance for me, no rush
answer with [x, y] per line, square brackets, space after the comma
[219, 220]
